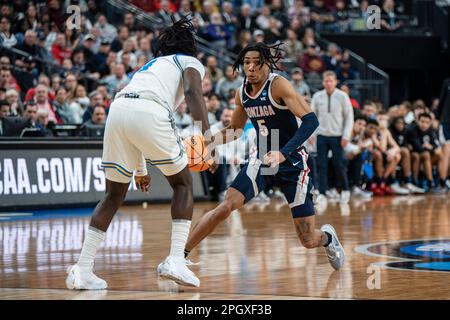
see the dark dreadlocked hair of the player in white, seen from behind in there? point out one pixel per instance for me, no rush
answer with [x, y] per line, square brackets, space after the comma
[178, 38]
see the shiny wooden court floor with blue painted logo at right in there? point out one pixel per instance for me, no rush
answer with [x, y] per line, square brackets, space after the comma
[397, 248]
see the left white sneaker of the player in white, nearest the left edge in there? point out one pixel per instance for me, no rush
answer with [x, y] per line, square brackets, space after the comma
[80, 280]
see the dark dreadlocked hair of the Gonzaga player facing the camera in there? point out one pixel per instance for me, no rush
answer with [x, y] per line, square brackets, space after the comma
[268, 54]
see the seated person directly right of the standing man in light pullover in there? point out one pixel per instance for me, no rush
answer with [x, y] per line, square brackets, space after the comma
[354, 151]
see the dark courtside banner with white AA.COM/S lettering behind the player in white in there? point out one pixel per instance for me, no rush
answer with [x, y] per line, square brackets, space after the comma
[66, 174]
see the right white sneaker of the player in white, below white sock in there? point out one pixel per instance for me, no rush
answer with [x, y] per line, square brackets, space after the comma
[176, 270]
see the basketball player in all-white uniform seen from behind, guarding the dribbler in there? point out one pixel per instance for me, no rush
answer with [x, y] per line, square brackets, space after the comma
[140, 129]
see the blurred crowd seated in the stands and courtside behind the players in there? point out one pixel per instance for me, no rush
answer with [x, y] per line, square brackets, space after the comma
[97, 59]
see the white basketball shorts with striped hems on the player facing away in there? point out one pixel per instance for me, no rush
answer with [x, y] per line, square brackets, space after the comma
[136, 128]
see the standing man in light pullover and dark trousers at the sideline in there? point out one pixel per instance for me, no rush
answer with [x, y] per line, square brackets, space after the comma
[333, 134]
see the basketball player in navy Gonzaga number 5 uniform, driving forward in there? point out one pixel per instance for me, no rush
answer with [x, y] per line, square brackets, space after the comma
[273, 106]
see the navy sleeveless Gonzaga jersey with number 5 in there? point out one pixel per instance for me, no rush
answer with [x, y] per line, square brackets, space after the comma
[275, 123]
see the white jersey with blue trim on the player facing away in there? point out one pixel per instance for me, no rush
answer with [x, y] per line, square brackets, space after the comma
[161, 79]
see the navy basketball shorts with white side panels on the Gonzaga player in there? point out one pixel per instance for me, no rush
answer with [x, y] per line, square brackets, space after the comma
[292, 178]
